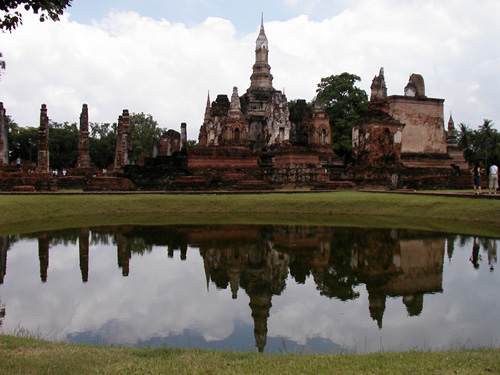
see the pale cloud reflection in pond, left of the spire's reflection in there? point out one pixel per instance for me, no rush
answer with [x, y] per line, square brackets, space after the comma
[146, 303]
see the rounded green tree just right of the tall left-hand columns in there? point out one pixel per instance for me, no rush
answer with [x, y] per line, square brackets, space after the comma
[144, 131]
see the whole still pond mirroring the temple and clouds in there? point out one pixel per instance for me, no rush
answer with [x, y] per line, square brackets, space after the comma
[248, 288]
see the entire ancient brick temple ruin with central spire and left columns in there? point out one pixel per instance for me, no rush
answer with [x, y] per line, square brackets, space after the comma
[260, 141]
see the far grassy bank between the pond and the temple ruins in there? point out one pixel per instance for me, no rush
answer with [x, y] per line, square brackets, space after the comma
[24, 213]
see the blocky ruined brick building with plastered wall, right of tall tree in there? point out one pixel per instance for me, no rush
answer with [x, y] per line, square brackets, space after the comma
[402, 139]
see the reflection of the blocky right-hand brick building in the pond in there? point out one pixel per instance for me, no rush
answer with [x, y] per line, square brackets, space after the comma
[398, 263]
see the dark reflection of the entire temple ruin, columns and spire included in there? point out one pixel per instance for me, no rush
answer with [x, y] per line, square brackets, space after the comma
[260, 259]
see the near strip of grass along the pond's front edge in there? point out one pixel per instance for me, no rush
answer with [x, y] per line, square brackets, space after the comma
[29, 356]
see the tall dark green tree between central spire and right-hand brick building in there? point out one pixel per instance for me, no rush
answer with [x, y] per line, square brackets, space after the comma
[344, 104]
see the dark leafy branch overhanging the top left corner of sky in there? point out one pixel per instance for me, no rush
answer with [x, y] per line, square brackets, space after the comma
[46, 9]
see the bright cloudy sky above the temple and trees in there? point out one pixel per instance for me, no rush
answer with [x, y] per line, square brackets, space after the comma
[163, 57]
